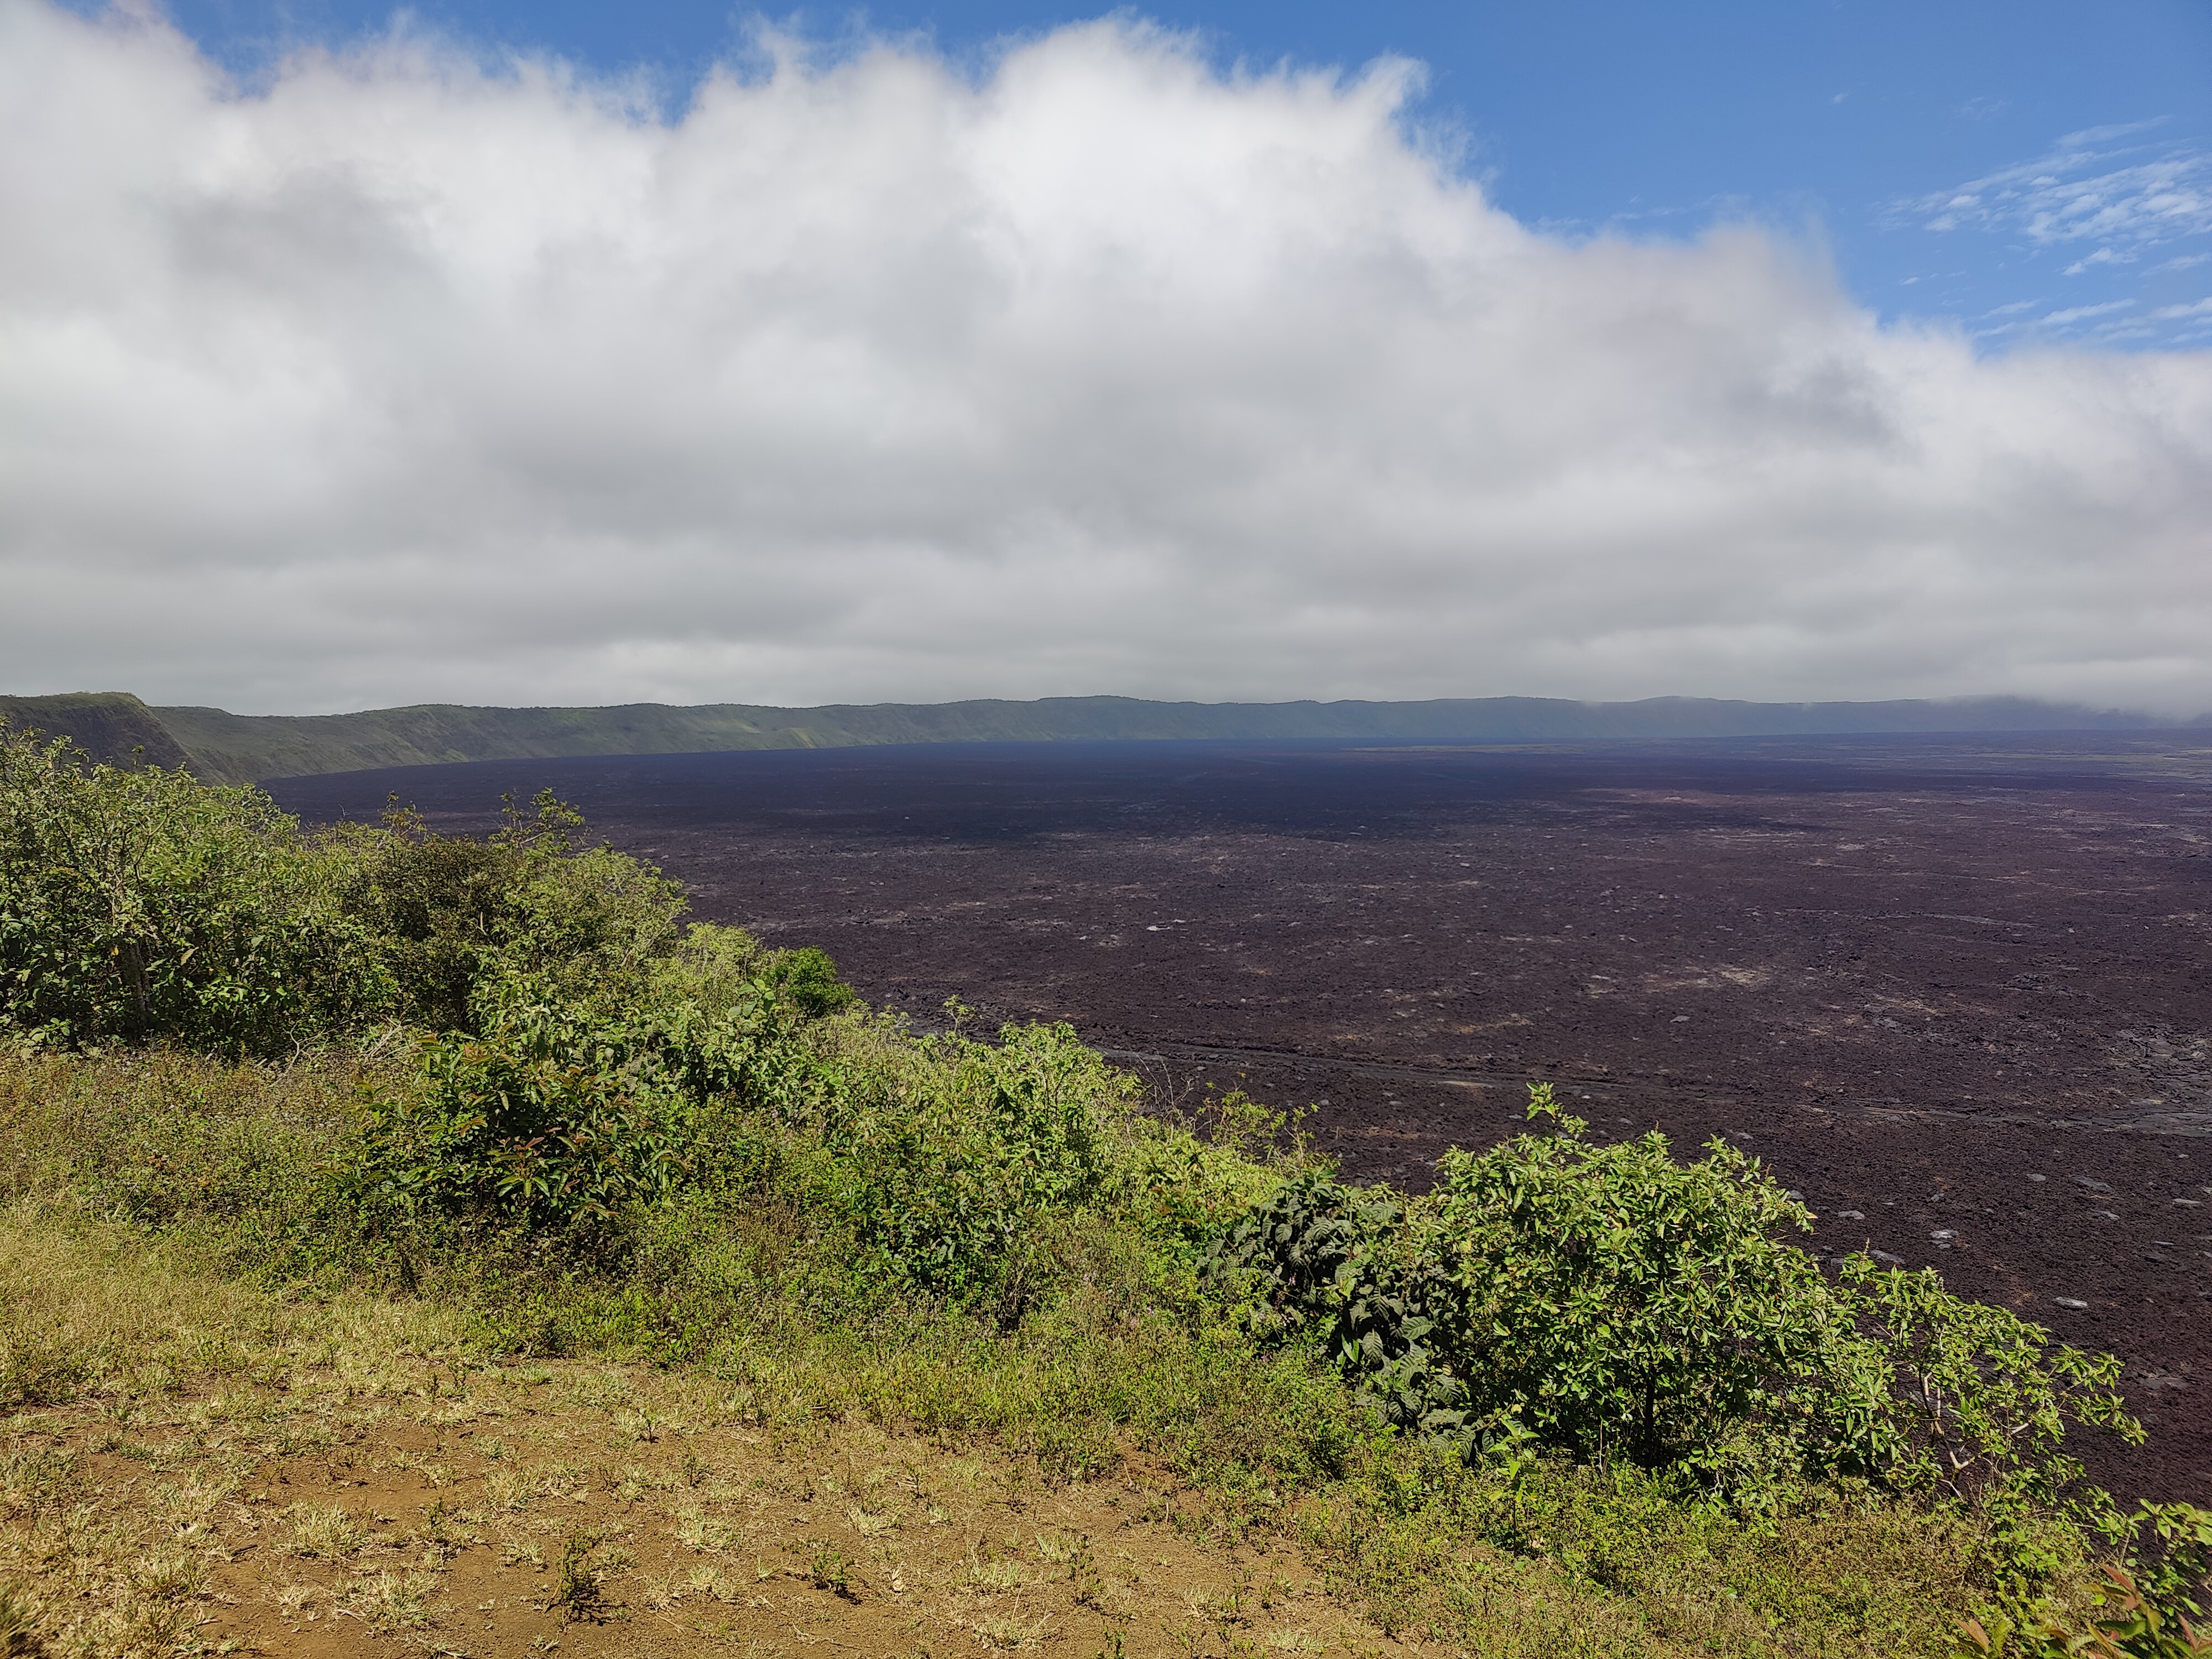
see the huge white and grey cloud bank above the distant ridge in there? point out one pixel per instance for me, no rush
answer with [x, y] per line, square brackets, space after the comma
[1103, 371]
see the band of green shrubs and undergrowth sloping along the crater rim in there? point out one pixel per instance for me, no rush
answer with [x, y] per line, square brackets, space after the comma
[508, 1076]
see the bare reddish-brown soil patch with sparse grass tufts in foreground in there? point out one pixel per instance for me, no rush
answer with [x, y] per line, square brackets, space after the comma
[592, 1510]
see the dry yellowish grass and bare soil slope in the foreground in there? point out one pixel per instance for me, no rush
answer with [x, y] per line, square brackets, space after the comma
[191, 1465]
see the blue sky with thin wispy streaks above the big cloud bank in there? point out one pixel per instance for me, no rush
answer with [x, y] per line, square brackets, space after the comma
[2078, 136]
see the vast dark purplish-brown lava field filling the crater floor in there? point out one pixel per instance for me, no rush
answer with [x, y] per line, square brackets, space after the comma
[1957, 992]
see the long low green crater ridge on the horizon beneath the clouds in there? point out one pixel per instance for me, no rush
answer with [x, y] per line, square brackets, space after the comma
[244, 749]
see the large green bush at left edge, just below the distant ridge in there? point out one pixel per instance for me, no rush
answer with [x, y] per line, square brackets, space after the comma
[143, 906]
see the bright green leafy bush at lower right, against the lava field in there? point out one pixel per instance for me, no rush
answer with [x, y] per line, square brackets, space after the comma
[1616, 1306]
